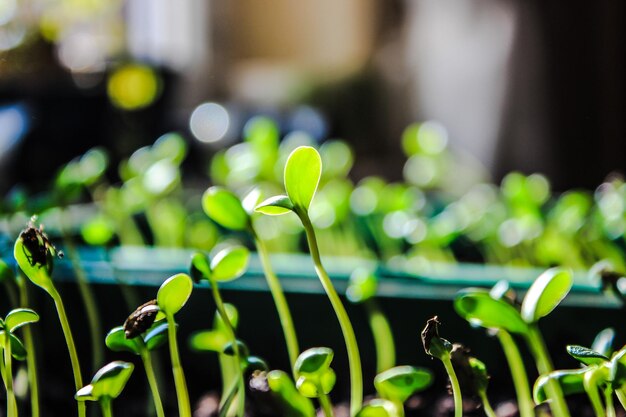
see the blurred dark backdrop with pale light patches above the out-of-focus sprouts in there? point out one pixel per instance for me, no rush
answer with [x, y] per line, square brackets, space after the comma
[518, 85]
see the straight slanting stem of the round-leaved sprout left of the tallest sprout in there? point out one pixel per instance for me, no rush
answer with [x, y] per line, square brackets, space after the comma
[284, 314]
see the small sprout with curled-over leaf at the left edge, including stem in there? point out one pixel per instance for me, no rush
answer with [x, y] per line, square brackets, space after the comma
[13, 347]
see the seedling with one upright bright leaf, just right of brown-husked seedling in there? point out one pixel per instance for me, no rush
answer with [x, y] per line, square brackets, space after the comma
[172, 296]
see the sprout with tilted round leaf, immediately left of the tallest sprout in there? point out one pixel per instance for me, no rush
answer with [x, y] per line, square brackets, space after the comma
[225, 208]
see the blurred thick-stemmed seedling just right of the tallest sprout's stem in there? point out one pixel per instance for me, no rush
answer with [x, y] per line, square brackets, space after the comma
[361, 290]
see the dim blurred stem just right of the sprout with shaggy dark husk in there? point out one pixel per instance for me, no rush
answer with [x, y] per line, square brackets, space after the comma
[89, 301]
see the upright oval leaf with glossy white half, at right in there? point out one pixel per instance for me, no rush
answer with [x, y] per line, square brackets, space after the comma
[546, 293]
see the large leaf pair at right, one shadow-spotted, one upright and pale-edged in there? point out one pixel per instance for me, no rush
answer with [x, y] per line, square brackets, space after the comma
[481, 308]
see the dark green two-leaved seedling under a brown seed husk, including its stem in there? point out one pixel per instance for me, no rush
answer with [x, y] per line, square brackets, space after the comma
[141, 342]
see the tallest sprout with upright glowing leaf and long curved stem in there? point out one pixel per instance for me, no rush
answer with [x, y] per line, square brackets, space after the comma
[302, 174]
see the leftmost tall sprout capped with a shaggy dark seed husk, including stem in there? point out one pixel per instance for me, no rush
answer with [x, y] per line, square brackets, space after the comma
[35, 254]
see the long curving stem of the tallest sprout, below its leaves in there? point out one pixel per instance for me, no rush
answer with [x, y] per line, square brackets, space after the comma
[354, 360]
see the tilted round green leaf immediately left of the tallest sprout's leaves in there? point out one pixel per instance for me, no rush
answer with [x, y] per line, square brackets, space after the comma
[224, 208]
